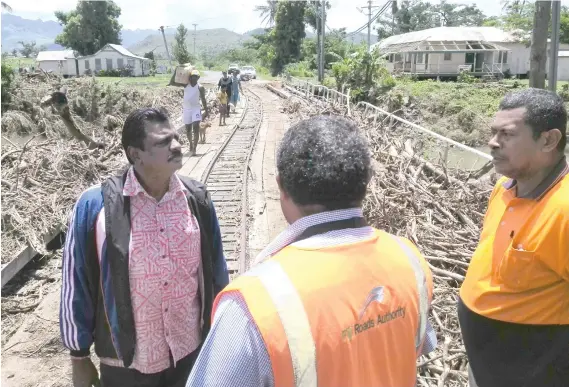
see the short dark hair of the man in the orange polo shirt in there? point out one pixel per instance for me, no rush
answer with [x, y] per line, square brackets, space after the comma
[545, 110]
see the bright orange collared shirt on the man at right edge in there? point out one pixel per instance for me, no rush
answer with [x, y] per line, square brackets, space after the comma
[520, 271]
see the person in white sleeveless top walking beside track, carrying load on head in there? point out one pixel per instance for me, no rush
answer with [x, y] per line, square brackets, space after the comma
[192, 115]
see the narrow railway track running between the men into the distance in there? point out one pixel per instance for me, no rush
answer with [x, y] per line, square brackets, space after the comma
[226, 180]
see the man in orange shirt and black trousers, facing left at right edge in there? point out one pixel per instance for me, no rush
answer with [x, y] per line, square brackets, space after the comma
[514, 302]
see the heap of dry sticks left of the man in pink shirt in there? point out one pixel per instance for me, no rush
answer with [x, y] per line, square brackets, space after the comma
[41, 181]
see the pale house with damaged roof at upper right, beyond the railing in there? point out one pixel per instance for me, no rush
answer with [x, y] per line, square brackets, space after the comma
[446, 51]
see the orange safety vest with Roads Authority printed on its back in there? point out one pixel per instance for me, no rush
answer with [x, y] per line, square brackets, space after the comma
[347, 315]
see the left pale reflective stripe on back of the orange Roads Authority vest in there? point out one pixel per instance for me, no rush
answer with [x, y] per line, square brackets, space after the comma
[293, 318]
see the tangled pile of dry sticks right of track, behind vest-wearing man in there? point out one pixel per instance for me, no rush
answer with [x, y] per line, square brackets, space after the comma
[439, 209]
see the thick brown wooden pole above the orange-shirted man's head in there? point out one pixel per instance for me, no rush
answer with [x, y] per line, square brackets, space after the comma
[538, 51]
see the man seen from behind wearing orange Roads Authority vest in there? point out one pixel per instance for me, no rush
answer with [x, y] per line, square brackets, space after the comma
[331, 301]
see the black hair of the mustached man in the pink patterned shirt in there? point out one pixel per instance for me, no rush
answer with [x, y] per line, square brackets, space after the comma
[134, 129]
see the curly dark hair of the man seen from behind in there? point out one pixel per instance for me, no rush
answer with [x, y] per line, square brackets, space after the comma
[324, 160]
